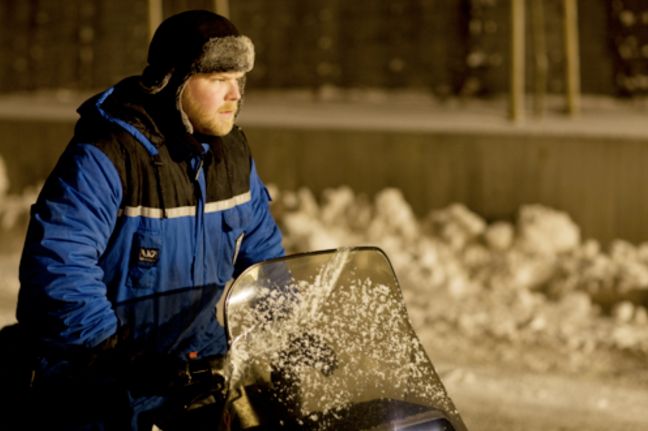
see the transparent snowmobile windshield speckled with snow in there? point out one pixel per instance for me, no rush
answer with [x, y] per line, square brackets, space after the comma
[324, 341]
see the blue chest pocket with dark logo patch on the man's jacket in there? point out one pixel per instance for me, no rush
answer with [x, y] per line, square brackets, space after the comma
[143, 270]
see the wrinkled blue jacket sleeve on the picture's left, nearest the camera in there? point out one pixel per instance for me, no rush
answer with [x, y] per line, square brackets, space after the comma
[62, 298]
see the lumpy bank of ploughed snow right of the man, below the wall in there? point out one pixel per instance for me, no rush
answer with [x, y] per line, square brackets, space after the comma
[531, 281]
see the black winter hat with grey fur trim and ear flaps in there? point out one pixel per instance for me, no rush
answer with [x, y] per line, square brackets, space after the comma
[195, 41]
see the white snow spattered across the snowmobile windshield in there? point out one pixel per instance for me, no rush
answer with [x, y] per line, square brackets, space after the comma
[345, 340]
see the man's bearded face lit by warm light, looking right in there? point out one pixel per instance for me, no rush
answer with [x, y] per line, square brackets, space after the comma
[210, 101]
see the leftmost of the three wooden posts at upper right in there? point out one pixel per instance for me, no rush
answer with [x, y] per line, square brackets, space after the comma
[516, 109]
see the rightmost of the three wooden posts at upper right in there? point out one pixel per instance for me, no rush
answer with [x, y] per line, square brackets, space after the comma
[572, 57]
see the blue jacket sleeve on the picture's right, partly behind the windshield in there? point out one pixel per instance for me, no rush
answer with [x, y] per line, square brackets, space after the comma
[263, 238]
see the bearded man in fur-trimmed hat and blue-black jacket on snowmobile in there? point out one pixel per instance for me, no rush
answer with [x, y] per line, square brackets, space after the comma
[152, 208]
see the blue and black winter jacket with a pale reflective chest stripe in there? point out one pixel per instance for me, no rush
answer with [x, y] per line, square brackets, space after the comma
[138, 229]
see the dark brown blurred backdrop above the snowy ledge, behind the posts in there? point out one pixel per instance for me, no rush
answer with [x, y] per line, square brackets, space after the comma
[446, 47]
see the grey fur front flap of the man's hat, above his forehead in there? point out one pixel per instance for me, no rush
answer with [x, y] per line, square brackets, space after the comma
[226, 54]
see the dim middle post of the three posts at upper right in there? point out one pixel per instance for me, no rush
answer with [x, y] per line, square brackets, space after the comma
[540, 62]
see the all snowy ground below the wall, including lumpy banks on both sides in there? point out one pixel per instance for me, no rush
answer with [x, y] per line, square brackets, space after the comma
[530, 325]
